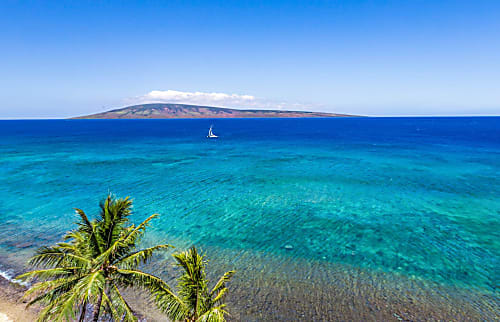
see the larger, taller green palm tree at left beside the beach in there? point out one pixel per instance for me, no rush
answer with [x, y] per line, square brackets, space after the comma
[91, 265]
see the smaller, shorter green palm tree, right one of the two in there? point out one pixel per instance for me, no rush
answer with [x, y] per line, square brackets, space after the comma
[196, 302]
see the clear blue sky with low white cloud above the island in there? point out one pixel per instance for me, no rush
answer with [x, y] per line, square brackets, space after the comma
[66, 58]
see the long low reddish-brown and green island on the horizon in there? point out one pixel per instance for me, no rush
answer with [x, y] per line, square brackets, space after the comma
[170, 111]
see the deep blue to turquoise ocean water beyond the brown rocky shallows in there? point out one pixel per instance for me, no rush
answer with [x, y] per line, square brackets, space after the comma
[413, 198]
